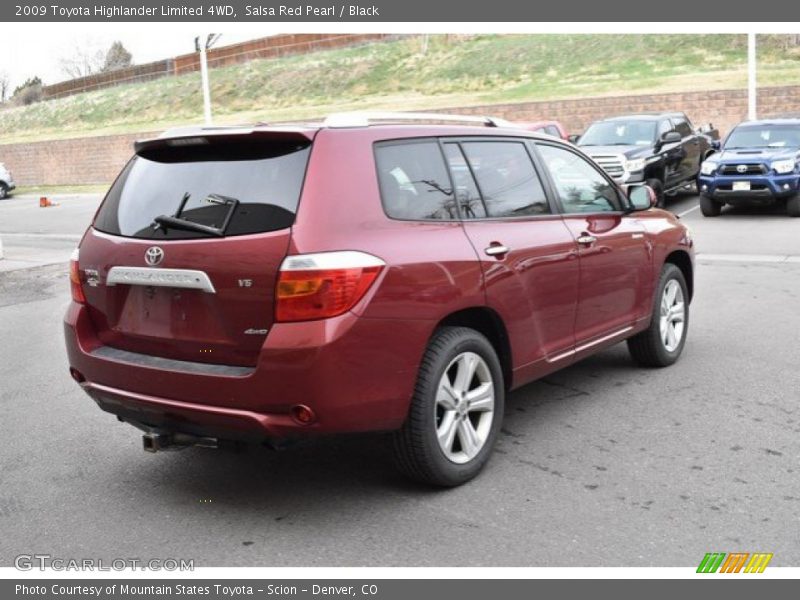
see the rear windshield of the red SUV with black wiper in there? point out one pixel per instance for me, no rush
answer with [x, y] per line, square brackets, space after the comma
[233, 186]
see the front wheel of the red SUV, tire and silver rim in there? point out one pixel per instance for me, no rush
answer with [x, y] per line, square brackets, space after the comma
[654, 347]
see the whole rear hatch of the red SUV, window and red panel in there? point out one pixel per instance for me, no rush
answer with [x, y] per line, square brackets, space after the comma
[183, 255]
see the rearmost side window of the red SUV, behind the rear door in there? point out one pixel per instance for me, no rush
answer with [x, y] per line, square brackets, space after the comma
[414, 182]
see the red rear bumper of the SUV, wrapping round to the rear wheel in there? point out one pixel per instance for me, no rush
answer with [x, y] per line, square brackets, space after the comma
[344, 369]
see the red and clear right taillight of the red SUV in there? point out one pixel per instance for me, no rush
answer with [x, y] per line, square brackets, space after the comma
[318, 286]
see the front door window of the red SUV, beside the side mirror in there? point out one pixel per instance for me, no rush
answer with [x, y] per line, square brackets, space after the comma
[580, 187]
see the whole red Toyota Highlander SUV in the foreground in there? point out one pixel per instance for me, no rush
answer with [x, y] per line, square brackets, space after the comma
[267, 283]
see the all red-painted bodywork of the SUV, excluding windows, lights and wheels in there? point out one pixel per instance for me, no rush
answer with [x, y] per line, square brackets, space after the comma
[557, 301]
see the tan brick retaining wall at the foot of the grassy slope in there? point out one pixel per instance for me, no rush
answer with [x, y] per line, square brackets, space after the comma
[99, 159]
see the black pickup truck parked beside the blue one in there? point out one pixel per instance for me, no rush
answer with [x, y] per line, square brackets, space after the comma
[663, 150]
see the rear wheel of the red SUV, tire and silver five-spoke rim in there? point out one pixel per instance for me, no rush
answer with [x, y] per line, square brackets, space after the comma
[418, 452]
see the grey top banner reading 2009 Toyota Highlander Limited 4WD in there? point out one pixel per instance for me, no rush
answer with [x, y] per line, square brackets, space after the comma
[464, 11]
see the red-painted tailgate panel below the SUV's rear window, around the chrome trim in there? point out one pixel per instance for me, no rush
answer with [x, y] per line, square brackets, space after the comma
[187, 324]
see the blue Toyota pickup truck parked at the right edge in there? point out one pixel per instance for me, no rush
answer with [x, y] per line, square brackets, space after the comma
[759, 163]
